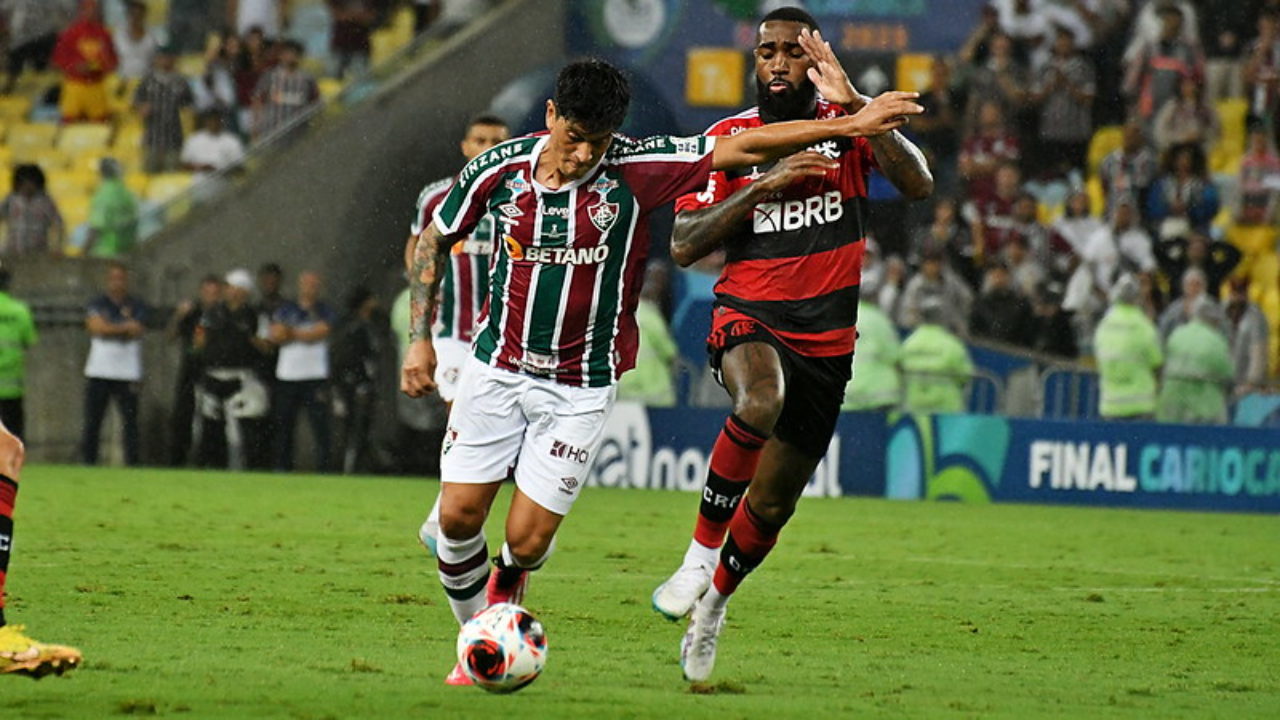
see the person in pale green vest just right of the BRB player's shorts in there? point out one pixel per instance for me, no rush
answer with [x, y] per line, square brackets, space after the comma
[876, 385]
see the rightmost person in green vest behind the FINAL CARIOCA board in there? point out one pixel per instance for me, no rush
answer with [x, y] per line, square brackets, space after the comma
[1199, 370]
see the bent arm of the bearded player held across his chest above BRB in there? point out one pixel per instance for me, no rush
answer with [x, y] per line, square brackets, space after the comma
[698, 234]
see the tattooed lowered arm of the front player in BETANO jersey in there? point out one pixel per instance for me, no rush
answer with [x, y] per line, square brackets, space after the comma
[429, 256]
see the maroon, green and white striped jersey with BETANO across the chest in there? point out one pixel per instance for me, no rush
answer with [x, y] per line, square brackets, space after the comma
[569, 263]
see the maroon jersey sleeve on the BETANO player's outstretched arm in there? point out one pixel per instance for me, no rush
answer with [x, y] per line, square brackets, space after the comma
[662, 168]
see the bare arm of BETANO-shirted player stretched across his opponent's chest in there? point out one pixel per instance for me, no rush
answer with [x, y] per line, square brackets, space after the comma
[778, 140]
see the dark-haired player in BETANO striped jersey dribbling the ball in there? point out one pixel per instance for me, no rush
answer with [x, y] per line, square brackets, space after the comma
[573, 207]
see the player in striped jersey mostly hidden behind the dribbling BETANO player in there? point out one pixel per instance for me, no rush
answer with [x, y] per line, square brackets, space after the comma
[464, 288]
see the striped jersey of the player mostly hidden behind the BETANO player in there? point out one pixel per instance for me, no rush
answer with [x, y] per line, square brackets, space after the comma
[465, 285]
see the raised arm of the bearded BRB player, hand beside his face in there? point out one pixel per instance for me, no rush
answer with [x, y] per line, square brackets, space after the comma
[899, 158]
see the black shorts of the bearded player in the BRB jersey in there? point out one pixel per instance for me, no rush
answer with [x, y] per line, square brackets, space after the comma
[815, 386]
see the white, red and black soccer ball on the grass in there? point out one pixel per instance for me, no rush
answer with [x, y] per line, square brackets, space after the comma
[502, 649]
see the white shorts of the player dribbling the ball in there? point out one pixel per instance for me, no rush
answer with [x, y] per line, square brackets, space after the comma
[555, 430]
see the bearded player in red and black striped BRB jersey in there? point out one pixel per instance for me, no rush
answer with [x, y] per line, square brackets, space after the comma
[783, 327]
